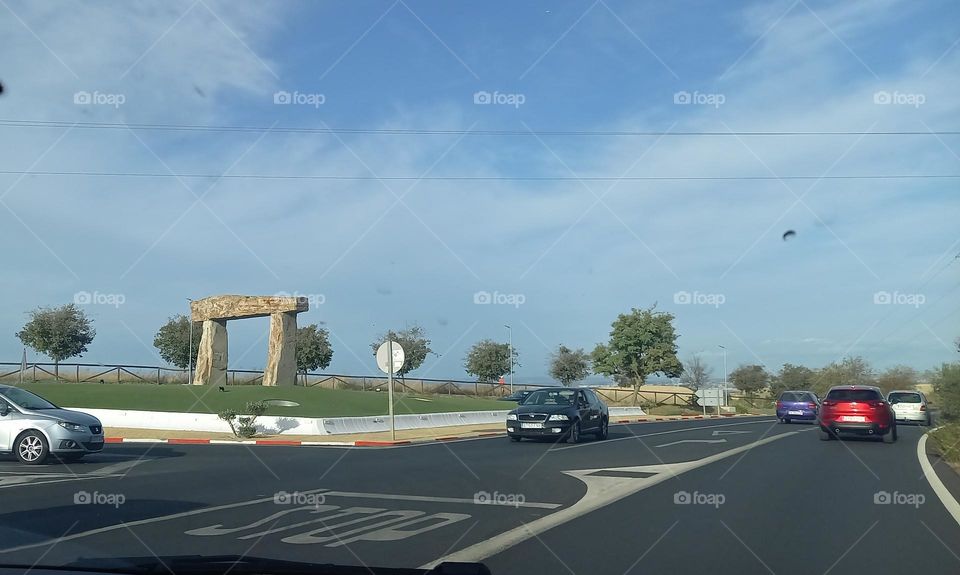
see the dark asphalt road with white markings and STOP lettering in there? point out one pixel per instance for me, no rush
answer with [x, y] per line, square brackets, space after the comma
[747, 495]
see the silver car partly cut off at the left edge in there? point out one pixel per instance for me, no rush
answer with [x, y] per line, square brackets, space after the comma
[32, 428]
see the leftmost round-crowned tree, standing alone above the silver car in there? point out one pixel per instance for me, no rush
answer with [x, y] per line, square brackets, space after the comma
[59, 333]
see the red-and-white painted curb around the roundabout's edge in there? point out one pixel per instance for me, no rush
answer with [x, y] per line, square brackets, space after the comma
[374, 443]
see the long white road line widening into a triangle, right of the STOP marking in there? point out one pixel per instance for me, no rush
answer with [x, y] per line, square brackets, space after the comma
[600, 494]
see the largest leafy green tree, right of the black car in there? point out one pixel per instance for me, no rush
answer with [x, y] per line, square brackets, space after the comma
[642, 343]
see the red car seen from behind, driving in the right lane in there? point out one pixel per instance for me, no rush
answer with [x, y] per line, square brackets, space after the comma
[857, 410]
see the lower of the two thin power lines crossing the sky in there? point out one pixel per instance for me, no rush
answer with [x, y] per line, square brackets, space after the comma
[478, 178]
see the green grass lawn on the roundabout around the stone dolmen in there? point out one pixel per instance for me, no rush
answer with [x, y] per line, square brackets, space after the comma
[314, 402]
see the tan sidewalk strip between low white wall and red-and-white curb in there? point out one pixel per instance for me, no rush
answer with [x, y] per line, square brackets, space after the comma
[407, 436]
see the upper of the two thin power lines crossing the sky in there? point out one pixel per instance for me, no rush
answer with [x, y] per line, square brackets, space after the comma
[457, 132]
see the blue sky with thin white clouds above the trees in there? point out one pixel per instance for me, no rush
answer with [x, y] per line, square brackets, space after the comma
[608, 144]
